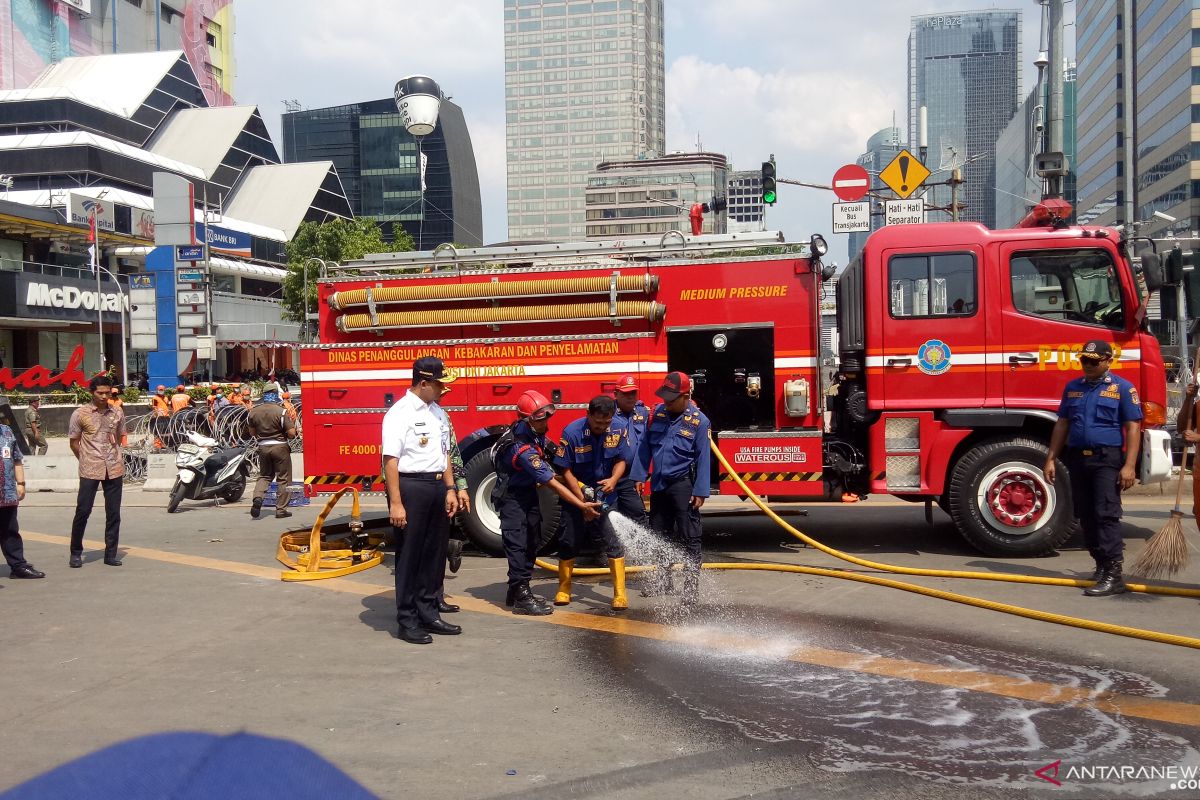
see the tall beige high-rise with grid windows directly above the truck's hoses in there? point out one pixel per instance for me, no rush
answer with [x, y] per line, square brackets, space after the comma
[584, 83]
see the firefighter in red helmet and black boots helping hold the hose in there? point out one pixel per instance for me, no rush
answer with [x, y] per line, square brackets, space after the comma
[523, 466]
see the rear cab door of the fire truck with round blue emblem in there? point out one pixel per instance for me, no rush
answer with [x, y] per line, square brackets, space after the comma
[934, 330]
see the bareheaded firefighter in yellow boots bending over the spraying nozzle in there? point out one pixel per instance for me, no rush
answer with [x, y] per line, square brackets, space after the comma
[593, 453]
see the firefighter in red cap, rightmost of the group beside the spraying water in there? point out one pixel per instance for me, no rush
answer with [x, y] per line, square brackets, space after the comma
[677, 450]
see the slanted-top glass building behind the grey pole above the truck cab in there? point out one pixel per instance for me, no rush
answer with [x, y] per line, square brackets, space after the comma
[1018, 185]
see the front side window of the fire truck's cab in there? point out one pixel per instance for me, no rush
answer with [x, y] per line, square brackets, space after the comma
[1070, 285]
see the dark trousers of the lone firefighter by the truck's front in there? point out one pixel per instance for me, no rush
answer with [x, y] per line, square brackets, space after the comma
[1096, 497]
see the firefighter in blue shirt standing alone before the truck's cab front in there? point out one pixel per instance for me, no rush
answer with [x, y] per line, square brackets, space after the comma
[1100, 414]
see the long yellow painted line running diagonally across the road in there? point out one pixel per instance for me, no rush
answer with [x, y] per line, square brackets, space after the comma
[1147, 708]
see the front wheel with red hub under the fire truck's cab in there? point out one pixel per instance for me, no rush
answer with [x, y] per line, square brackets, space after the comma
[1001, 503]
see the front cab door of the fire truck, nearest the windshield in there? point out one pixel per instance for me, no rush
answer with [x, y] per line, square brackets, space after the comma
[1055, 299]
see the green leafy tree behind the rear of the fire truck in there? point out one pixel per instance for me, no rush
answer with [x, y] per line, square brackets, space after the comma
[338, 240]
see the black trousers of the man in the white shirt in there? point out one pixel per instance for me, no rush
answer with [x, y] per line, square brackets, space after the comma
[422, 555]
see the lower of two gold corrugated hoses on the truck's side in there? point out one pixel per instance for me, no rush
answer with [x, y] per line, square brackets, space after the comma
[583, 311]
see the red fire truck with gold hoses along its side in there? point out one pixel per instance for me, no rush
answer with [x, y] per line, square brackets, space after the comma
[946, 359]
